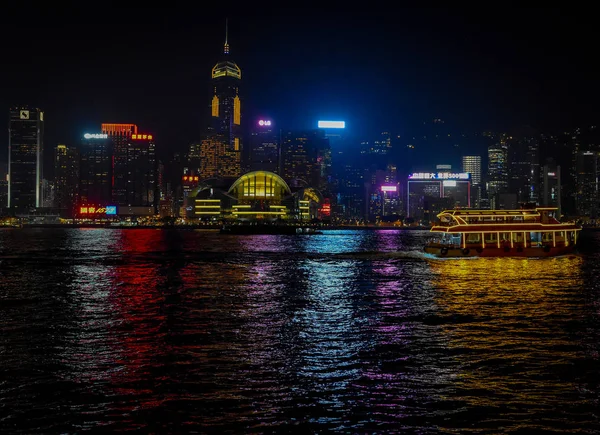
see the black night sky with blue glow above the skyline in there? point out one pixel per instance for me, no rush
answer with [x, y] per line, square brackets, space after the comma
[475, 68]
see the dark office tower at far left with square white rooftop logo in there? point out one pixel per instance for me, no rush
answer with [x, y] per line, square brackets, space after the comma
[25, 154]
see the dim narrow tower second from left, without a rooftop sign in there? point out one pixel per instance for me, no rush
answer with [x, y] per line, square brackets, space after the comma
[66, 179]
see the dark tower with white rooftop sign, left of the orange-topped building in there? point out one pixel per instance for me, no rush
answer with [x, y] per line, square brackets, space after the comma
[96, 170]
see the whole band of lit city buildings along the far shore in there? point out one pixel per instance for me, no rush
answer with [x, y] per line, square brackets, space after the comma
[115, 170]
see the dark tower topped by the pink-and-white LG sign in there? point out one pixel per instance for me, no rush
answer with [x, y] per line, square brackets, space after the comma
[263, 148]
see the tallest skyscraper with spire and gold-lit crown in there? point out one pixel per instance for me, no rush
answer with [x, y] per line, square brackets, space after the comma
[224, 137]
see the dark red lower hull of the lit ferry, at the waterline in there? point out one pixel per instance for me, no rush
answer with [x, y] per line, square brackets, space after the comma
[493, 251]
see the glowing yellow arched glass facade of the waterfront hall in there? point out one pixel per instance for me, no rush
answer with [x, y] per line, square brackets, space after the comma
[260, 185]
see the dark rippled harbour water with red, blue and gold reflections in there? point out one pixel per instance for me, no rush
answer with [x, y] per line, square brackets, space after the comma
[171, 331]
